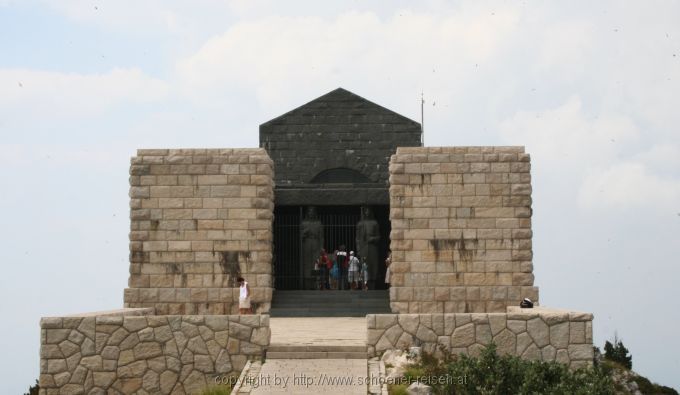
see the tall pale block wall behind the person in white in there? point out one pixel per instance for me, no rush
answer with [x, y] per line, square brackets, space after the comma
[199, 219]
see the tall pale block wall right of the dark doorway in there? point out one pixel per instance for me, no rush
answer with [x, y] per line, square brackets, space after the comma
[461, 229]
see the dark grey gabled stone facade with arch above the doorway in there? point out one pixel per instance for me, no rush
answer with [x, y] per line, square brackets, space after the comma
[335, 150]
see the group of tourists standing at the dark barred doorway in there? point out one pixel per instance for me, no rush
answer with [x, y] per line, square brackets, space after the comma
[342, 271]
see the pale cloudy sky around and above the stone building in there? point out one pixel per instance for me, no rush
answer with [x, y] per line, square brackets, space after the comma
[592, 89]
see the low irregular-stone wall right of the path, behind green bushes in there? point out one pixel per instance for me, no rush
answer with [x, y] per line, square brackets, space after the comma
[538, 334]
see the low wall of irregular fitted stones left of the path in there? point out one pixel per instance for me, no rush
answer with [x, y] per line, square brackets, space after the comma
[118, 353]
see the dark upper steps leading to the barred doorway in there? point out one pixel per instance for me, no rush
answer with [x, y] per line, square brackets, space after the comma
[329, 303]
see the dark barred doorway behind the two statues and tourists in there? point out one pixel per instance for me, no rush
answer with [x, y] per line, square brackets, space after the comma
[339, 224]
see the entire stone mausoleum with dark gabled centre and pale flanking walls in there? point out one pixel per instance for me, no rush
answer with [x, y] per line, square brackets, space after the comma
[338, 173]
